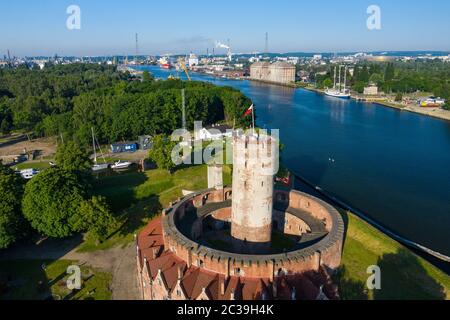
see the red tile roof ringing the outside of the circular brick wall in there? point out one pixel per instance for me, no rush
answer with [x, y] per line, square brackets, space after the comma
[194, 280]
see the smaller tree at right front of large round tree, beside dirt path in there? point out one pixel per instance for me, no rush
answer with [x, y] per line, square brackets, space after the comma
[96, 217]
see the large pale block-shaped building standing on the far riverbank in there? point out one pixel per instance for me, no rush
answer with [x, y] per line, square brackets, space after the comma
[278, 72]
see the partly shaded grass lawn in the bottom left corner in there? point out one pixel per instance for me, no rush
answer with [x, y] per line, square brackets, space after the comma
[26, 280]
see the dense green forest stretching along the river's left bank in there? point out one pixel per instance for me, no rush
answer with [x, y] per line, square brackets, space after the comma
[70, 99]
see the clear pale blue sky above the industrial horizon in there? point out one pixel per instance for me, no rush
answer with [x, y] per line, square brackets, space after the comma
[108, 27]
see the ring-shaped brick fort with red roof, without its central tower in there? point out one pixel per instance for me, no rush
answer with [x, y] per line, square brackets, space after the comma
[173, 266]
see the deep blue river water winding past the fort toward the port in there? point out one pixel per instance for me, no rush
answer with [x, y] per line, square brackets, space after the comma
[391, 165]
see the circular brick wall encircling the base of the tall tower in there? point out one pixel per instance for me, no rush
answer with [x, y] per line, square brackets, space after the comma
[183, 240]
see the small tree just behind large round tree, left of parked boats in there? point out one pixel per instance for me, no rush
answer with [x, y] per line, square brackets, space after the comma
[72, 157]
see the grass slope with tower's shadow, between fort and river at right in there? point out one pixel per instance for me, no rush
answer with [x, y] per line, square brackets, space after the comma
[404, 275]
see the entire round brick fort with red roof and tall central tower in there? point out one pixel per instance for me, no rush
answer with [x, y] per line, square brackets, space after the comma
[190, 253]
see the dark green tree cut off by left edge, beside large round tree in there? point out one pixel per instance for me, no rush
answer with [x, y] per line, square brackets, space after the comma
[12, 223]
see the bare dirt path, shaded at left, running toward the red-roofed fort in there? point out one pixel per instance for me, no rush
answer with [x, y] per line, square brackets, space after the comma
[120, 262]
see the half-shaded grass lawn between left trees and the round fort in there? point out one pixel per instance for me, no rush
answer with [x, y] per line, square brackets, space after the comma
[137, 197]
